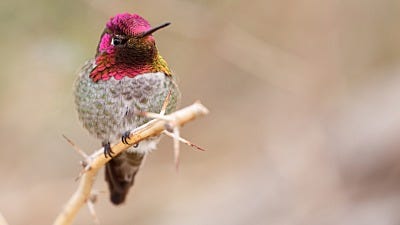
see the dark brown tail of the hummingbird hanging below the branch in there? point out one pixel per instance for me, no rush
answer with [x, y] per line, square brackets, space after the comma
[120, 175]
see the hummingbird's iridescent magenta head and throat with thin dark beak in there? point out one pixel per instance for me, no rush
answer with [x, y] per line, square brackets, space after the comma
[127, 48]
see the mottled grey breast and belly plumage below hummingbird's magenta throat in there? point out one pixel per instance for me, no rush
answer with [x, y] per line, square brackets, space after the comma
[107, 108]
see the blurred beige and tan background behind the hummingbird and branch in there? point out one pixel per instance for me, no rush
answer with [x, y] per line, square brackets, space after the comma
[304, 125]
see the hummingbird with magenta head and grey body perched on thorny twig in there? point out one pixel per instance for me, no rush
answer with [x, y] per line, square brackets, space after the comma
[126, 76]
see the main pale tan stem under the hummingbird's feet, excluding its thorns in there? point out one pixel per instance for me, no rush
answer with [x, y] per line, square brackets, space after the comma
[98, 160]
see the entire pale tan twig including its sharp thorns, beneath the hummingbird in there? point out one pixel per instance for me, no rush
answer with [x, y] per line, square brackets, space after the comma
[95, 161]
